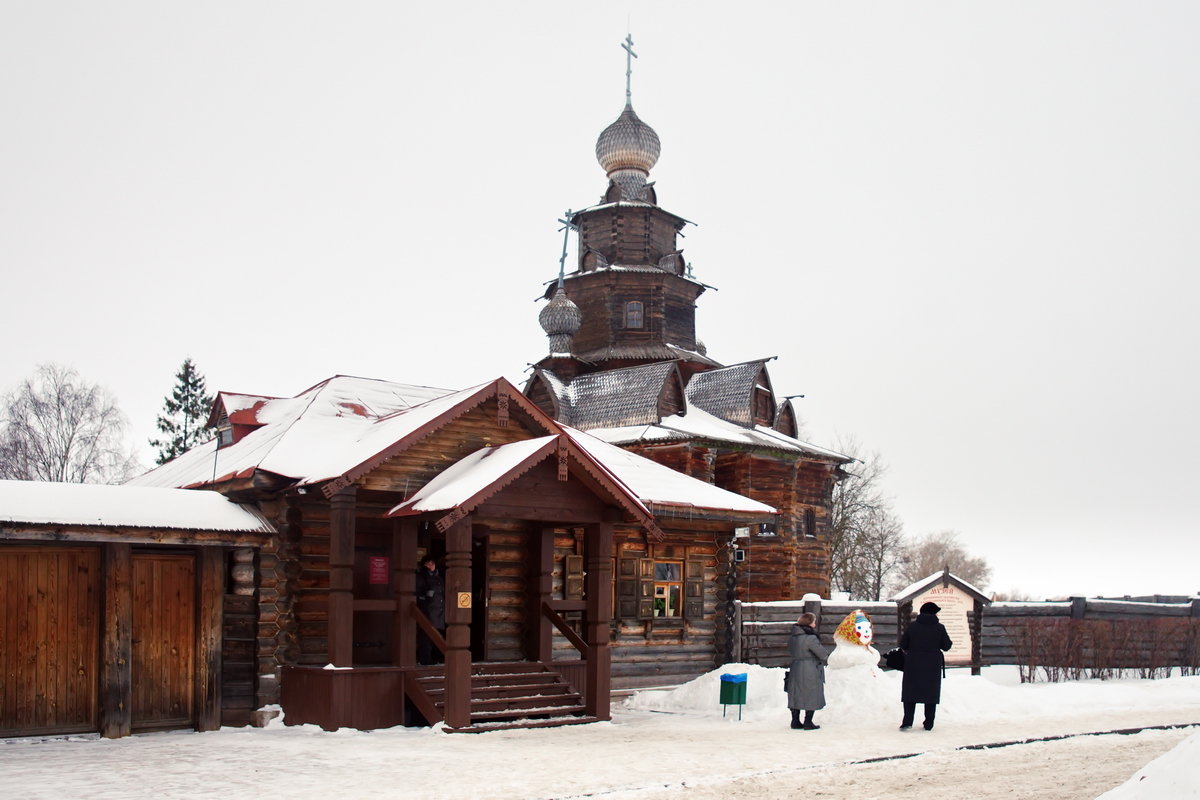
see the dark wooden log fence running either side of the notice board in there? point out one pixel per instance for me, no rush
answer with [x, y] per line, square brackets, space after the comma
[1144, 635]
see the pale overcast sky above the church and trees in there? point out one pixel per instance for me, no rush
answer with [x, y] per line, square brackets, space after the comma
[968, 231]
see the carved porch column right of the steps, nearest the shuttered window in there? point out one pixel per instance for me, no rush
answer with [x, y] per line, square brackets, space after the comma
[598, 544]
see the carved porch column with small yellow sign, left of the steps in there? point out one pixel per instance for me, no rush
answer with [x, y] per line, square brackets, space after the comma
[459, 600]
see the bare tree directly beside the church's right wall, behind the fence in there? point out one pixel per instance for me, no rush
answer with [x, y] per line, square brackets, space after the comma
[867, 538]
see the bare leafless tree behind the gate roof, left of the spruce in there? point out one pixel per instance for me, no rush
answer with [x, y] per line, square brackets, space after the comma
[58, 428]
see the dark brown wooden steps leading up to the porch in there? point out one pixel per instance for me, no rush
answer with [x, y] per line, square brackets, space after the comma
[512, 695]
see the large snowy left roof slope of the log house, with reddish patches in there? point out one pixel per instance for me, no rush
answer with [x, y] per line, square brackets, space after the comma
[322, 434]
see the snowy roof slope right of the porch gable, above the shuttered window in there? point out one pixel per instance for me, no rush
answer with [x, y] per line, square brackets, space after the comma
[657, 485]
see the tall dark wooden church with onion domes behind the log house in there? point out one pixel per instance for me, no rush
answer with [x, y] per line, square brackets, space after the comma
[626, 365]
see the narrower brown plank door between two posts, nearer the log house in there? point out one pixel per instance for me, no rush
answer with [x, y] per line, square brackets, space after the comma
[164, 681]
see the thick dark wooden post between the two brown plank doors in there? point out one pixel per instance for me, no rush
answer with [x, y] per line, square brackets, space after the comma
[117, 672]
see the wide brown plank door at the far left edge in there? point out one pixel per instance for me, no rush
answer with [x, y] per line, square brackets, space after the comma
[50, 640]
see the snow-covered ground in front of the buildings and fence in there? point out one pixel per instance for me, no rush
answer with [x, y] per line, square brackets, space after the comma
[679, 742]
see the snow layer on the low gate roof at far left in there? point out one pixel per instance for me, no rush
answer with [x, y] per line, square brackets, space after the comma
[128, 507]
